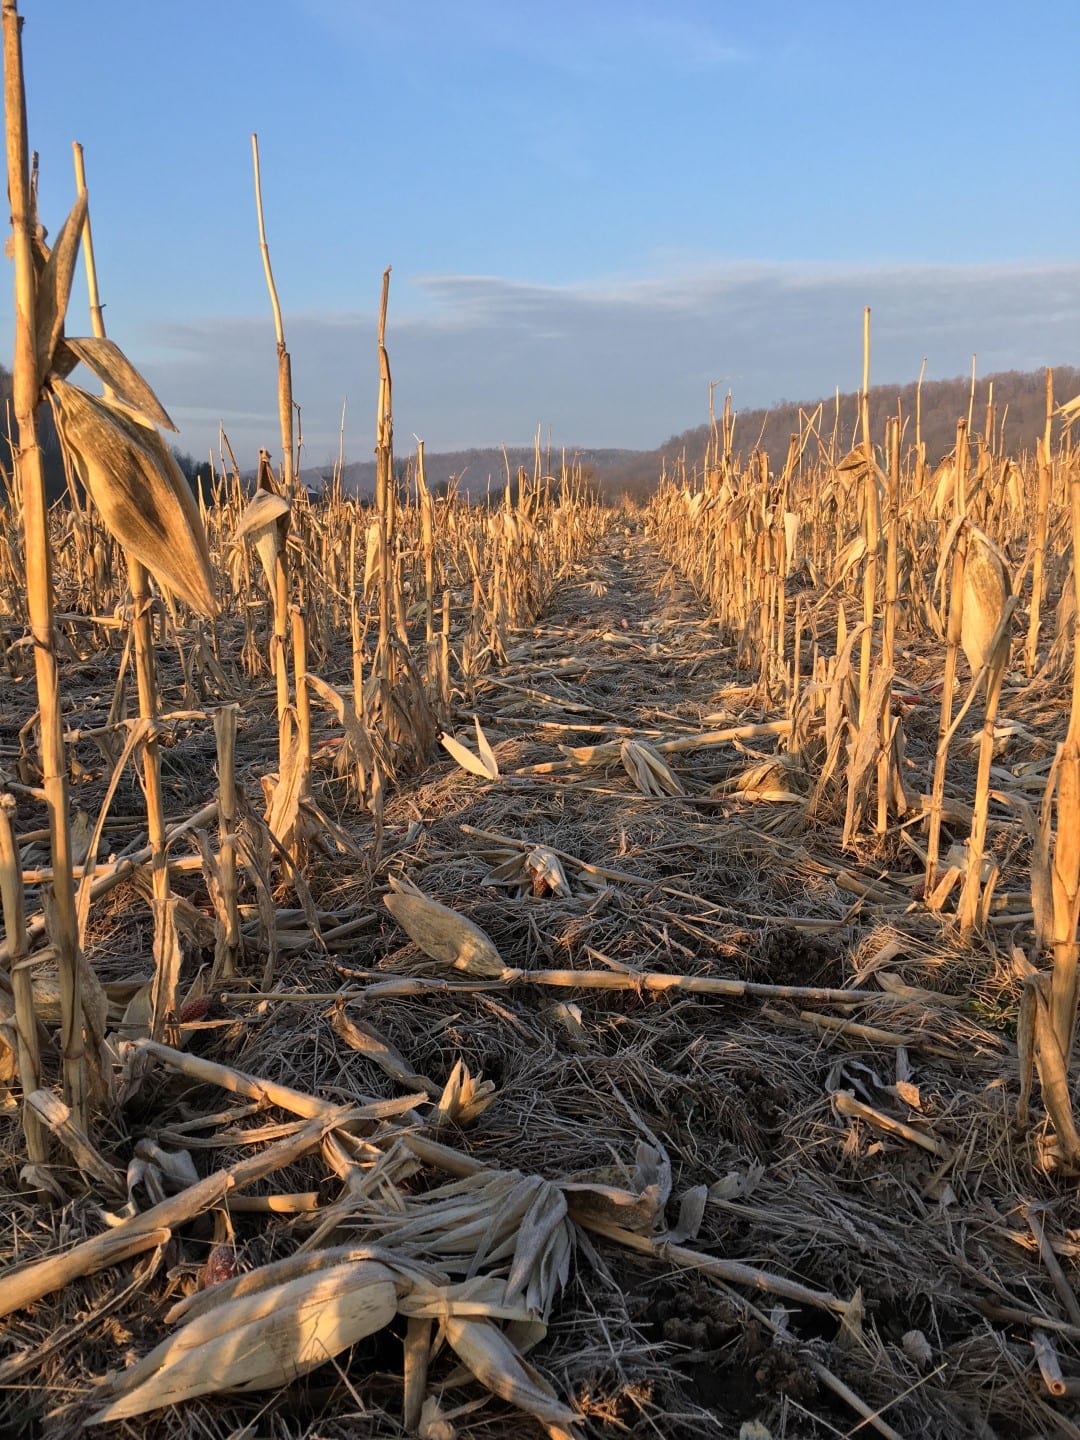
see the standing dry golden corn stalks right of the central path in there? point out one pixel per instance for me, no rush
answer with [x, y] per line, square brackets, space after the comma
[832, 575]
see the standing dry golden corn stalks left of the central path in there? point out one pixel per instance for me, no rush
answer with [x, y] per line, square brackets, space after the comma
[258, 593]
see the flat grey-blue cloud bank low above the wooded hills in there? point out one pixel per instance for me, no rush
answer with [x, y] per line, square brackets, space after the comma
[482, 361]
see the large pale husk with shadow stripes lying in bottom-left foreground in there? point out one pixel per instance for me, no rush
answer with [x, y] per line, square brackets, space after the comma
[260, 1341]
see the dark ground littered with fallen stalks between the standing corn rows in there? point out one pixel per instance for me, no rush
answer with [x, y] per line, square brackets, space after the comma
[714, 1120]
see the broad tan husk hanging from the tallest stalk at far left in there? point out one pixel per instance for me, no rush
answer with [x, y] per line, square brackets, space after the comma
[139, 490]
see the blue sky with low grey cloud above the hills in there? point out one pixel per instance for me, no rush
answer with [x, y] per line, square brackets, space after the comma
[593, 210]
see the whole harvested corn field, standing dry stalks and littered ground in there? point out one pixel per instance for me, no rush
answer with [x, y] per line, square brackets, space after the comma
[535, 966]
